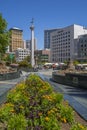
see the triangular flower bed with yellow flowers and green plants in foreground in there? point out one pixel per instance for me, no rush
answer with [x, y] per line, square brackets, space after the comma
[33, 105]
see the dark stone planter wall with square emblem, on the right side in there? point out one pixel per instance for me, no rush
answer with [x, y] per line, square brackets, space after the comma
[72, 79]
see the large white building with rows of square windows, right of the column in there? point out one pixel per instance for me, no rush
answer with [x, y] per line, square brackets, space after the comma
[62, 42]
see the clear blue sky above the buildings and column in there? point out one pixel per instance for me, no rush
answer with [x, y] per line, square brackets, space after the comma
[47, 14]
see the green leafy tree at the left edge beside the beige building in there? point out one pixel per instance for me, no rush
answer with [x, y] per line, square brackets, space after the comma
[4, 36]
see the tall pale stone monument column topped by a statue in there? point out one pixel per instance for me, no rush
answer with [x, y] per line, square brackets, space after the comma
[32, 43]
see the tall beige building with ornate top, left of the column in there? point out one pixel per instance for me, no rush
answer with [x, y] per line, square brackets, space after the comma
[16, 39]
